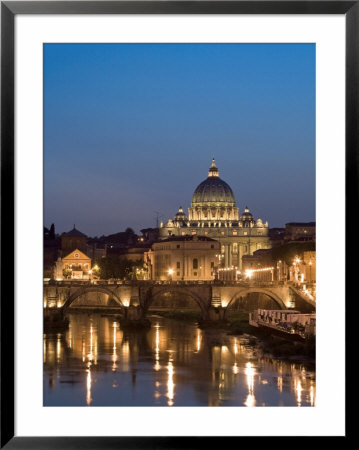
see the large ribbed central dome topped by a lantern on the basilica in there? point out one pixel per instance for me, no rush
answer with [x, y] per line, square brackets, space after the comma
[213, 191]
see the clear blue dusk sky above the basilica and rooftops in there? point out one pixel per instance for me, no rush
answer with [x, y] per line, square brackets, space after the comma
[131, 129]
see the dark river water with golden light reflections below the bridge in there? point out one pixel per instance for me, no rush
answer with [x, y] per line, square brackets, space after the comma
[95, 363]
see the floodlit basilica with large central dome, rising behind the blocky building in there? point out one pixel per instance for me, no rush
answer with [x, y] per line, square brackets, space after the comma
[214, 213]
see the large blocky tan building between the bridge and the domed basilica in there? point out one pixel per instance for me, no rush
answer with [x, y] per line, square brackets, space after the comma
[183, 258]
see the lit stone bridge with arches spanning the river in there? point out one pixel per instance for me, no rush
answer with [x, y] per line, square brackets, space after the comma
[137, 296]
